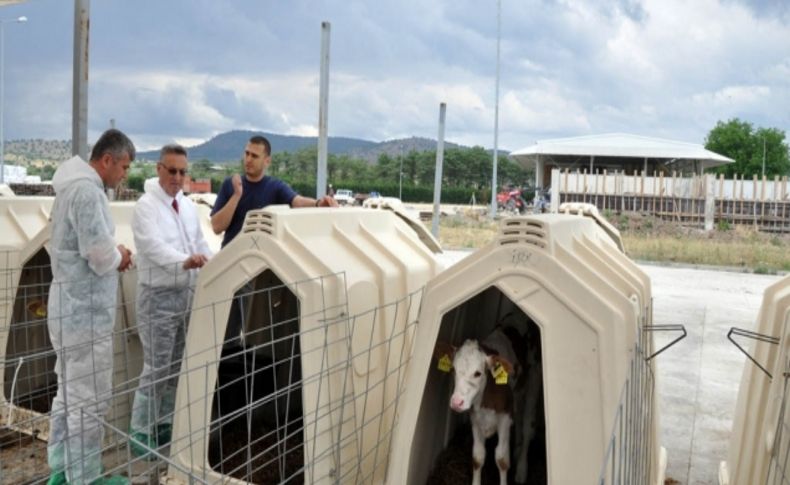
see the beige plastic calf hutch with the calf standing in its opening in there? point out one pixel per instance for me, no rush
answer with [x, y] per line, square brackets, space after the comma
[575, 308]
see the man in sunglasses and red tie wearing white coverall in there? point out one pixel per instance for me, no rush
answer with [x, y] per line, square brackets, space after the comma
[170, 247]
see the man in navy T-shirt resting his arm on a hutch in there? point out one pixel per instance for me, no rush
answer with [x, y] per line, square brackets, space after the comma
[255, 190]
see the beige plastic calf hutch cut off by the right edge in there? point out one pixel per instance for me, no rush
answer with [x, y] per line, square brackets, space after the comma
[759, 398]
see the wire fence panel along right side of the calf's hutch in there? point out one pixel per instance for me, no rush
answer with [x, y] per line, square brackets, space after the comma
[630, 453]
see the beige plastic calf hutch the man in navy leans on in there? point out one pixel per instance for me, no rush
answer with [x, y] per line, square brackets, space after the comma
[307, 389]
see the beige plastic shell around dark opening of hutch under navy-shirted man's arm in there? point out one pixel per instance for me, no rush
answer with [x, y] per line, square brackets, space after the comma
[366, 259]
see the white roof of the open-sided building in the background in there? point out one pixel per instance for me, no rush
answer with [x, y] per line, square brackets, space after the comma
[618, 145]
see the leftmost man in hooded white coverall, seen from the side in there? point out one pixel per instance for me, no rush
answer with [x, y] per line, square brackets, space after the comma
[81, 309]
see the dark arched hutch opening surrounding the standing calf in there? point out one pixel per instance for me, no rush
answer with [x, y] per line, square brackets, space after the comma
[476, 318]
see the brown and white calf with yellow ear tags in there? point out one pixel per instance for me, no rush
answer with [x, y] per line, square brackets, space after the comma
[489, 400]
